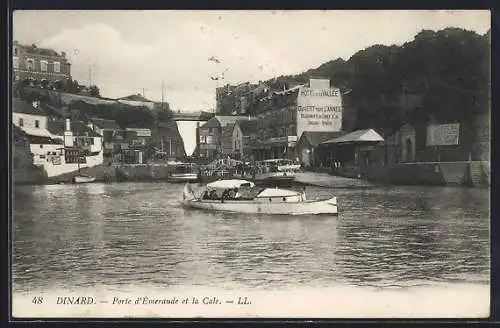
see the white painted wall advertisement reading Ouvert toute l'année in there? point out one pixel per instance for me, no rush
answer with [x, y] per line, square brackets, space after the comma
[319, 110]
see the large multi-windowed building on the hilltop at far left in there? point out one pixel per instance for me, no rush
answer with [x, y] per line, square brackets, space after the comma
[39, 66]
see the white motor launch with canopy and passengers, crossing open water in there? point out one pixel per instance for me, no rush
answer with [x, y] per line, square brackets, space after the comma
[244, 197]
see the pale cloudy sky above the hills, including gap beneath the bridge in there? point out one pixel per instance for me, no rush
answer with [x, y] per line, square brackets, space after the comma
[134, 51]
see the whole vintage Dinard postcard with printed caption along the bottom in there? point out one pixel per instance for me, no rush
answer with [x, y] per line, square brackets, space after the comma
[250, 164]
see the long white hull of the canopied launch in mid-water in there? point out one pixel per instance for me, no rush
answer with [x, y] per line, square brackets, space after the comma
[327, 206]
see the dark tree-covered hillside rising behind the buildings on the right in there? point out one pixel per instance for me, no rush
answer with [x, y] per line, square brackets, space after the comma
[442, 75]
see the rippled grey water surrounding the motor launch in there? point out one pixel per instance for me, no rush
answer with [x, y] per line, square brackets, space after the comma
[79, 236]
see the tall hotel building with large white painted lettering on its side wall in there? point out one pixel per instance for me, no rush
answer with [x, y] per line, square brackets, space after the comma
[285, 115]
